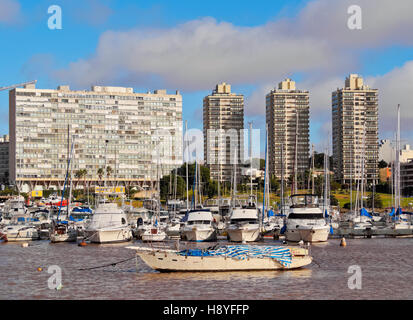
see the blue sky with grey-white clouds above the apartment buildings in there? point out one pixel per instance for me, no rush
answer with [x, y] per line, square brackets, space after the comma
[191, 46]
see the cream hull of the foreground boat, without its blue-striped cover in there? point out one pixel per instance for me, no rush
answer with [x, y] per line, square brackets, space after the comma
[172, 262]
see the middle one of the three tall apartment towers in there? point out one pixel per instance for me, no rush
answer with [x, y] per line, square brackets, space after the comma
[287, 118]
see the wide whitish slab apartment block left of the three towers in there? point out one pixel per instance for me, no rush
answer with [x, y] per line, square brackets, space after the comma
[128, 127]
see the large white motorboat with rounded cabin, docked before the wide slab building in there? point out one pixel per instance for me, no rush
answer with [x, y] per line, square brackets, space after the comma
[108, 224]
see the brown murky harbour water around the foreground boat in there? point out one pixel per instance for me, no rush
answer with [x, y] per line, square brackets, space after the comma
[386, 264]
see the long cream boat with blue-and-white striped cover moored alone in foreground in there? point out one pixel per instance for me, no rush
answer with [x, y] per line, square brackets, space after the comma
[224, 258]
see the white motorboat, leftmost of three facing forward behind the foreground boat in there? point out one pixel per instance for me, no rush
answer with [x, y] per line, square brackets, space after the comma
[200, 226]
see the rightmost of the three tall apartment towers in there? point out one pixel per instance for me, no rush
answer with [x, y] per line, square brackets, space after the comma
[355, 131]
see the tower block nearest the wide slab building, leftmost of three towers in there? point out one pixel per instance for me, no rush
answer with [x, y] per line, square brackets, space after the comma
[223, 119]
